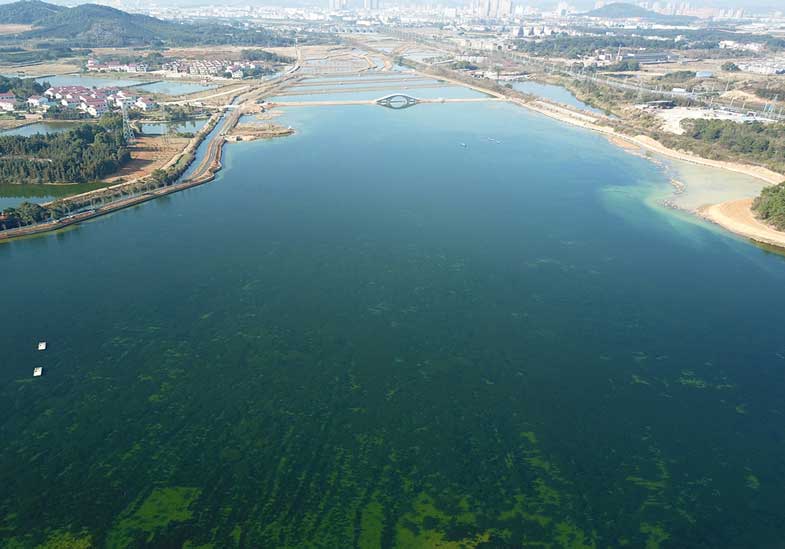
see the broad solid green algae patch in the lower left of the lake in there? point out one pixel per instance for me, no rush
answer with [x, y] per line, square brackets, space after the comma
[162, 507]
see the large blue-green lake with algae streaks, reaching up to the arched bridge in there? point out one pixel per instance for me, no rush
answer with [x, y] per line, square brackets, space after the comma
[397, 341]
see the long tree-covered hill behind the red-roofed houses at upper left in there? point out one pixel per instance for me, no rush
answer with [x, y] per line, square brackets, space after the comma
[92, 25]
